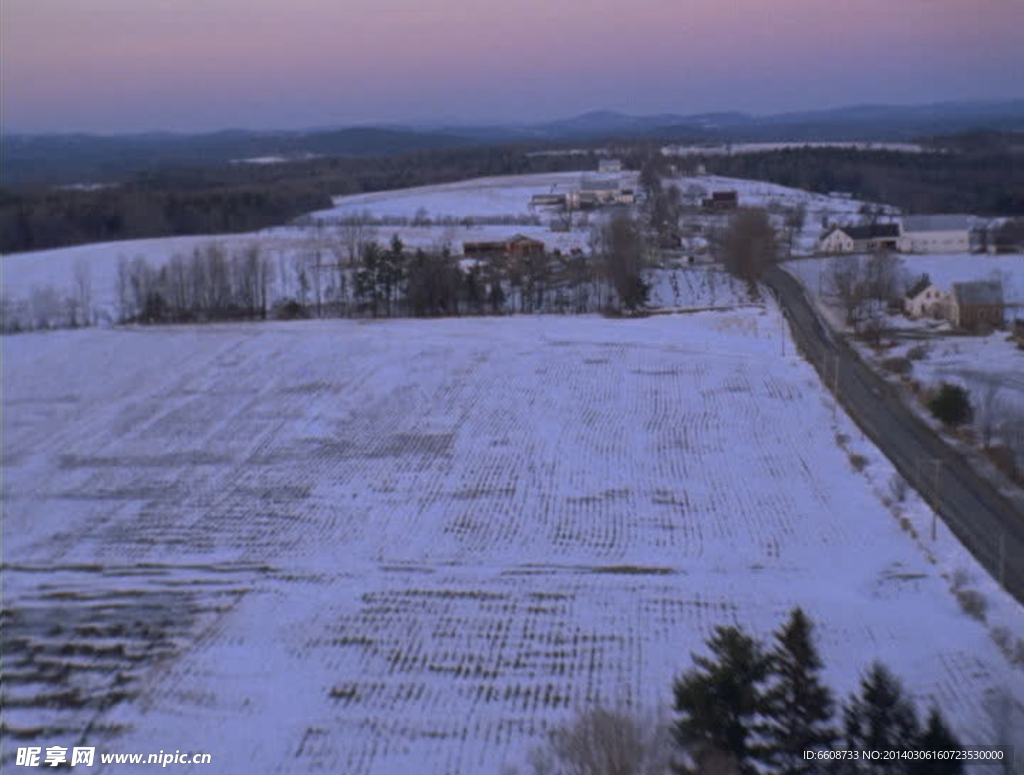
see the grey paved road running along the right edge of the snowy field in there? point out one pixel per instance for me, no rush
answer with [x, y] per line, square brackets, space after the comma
[987, 523]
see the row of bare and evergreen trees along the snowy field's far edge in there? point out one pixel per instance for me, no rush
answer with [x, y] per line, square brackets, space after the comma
[350, 274]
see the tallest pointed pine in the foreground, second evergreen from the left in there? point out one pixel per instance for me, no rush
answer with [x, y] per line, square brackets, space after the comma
[799, 708]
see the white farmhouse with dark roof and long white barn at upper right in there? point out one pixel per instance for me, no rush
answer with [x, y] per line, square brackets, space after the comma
[912, 234]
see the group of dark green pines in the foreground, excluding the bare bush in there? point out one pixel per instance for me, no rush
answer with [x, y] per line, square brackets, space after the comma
[764, 708]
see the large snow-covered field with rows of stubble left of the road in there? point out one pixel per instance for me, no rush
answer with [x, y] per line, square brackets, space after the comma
[409, 546]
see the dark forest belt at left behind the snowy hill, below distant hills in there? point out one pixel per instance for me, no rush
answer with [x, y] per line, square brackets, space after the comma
[233, 199]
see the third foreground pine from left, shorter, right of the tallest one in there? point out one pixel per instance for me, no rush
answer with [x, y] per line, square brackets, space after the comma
[881, 718]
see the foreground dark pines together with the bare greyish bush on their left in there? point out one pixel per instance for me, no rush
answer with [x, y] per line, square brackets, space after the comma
[748, 709]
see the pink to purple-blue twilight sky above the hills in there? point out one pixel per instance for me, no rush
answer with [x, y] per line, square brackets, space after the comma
[137, 65]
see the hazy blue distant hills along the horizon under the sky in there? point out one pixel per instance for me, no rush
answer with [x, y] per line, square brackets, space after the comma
[84, 158]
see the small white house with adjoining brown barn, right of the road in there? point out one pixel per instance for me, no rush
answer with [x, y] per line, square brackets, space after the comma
[968, 307]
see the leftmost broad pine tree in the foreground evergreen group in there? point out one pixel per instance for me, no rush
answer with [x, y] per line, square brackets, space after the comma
[719, 700]
